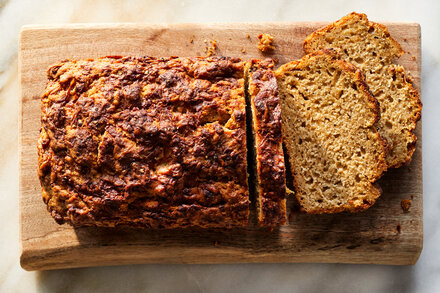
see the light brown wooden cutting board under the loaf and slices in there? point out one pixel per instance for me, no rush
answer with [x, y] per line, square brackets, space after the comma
[384, 234]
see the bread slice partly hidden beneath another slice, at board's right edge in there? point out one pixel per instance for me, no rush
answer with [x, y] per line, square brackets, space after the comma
[370, 47]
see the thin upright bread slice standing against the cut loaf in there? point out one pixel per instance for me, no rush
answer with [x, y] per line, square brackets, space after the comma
[270, 180]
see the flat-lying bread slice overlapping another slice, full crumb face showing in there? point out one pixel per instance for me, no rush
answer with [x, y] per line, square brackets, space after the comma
[333, 148]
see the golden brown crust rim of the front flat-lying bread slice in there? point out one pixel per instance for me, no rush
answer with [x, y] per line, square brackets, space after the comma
[381, 167]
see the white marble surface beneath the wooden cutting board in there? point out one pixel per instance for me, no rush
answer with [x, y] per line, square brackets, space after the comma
[423, 277]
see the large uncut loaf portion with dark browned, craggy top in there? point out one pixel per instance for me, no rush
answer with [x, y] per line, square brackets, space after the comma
[145, 142]
